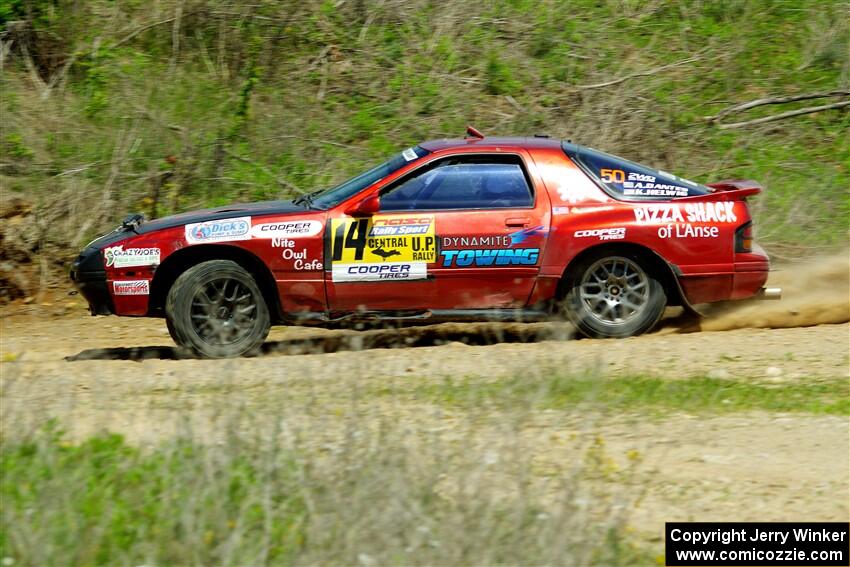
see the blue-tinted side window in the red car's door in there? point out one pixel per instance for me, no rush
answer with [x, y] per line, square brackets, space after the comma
[484, 183]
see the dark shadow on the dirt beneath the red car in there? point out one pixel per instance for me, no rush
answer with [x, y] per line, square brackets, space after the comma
[341, 341]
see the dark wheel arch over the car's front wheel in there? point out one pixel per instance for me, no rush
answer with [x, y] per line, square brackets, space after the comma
[183, 259]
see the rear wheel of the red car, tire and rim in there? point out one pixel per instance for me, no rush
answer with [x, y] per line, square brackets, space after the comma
[614, 295]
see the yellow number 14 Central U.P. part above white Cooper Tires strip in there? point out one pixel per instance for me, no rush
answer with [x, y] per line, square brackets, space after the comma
[402, 239]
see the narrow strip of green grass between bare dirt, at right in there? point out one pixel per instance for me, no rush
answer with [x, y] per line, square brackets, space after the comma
[643, 393]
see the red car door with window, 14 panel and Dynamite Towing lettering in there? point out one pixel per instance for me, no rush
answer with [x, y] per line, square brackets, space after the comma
[465, 231]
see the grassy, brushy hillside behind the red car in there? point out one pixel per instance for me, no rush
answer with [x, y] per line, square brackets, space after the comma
[110, 107]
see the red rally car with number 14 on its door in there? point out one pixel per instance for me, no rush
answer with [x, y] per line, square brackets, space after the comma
[471, 229]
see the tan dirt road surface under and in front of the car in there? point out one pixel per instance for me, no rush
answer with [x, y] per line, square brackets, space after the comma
[123, 376]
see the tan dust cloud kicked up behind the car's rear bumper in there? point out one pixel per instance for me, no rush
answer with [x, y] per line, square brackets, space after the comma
[815, 291]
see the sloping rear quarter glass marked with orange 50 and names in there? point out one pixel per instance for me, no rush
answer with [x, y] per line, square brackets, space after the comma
[626, 179]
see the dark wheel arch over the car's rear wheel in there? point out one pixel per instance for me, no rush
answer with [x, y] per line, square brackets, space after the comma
[654, 262]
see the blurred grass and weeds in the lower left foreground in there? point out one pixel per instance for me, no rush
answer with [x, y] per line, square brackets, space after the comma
[246, 502]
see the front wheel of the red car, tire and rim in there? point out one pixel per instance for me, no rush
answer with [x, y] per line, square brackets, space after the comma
[216, 310]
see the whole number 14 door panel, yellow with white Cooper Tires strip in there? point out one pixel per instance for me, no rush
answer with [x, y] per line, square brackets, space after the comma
[382, 248]
